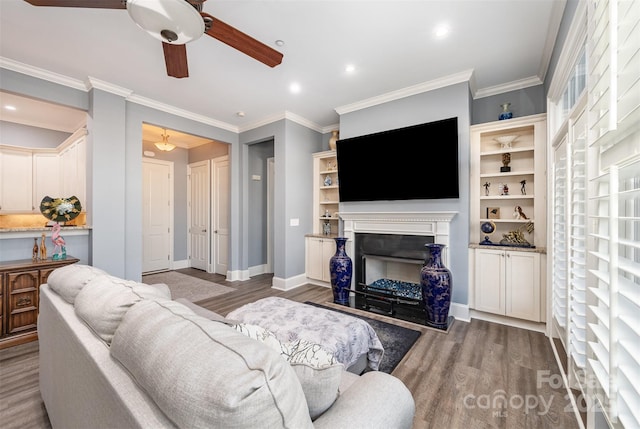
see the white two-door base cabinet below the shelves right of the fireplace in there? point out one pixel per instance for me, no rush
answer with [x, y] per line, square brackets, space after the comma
[507, 282]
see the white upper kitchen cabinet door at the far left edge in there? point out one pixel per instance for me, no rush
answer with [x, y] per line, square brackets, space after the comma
[16, 177]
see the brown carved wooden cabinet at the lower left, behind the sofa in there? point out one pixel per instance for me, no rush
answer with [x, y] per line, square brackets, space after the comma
[19, 292]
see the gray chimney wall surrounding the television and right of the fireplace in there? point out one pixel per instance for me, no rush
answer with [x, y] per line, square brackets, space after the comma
[430, 106]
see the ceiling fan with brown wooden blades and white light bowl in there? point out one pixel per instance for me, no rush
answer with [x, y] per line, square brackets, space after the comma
[176, 22]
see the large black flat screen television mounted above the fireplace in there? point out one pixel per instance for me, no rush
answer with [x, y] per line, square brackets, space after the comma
[415, 162]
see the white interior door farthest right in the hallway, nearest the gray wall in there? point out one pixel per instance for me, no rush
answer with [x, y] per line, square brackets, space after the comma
[221, 187]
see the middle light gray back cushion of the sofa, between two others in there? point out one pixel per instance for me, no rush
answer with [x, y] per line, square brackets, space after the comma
[103, 302]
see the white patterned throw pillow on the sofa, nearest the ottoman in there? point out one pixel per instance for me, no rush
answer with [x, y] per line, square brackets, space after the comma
[317, 370]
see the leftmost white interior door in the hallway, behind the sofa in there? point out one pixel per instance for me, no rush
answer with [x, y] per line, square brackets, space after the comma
[157, 212]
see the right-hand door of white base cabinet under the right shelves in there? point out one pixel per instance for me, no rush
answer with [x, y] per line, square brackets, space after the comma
[522, 271]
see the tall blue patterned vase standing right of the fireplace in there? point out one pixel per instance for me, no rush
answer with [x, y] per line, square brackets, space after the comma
[435, 280]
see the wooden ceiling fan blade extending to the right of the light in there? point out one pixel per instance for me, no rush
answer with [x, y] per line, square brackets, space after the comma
[242, 42]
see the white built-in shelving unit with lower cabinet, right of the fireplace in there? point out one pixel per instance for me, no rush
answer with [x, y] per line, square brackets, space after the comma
[508, 193]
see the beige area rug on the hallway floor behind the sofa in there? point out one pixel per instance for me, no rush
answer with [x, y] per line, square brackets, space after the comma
[187, 287]
